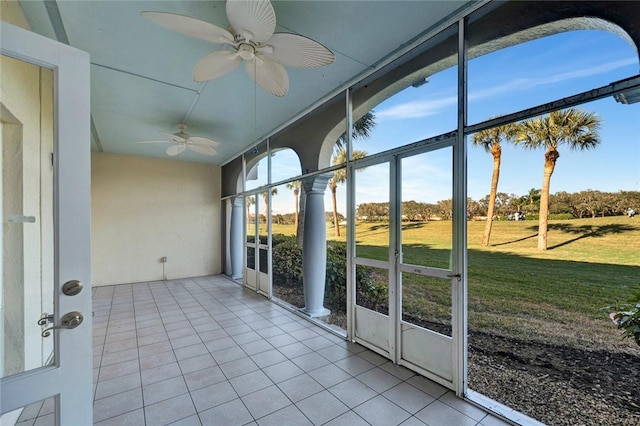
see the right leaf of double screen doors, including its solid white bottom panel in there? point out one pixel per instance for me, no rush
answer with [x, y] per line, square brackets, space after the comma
[425, 277]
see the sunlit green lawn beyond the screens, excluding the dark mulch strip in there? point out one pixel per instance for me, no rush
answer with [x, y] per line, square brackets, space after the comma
[515, 290]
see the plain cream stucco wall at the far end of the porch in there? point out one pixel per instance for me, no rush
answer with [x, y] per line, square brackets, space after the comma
[143, 209]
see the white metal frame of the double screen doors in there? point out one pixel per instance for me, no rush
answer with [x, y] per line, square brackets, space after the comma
[394, 264]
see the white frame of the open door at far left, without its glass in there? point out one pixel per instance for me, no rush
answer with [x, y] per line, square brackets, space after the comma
[70, 377]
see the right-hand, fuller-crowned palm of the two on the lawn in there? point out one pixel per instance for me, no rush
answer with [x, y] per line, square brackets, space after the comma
[573, 127]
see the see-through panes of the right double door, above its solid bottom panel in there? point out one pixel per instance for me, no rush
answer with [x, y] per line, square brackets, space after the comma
[426, 237]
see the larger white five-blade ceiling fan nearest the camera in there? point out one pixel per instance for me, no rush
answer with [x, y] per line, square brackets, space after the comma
[252, 41]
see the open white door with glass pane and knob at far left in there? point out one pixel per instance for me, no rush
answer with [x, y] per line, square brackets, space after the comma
[45, 228]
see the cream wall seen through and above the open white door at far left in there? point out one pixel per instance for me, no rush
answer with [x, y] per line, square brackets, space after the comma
[26, 112]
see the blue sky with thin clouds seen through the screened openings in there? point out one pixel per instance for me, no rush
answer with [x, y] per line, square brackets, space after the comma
[503, 82]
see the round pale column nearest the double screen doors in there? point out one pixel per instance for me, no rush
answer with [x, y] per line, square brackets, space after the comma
[314, 249]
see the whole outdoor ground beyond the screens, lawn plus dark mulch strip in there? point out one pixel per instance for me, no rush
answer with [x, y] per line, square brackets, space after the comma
[539, 340]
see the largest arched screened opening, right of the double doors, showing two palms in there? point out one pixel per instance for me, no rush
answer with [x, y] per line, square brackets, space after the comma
[535, 318]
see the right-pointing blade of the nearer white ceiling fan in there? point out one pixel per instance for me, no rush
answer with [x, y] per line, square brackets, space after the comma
[293, 50]
